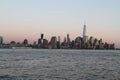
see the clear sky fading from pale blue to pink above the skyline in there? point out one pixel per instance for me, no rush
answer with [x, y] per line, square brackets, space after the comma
[20, 19]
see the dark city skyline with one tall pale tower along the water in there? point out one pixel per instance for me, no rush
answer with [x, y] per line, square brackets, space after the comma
[84, 42]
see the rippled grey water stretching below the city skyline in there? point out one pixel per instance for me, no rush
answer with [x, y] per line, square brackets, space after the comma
[39, 64]
